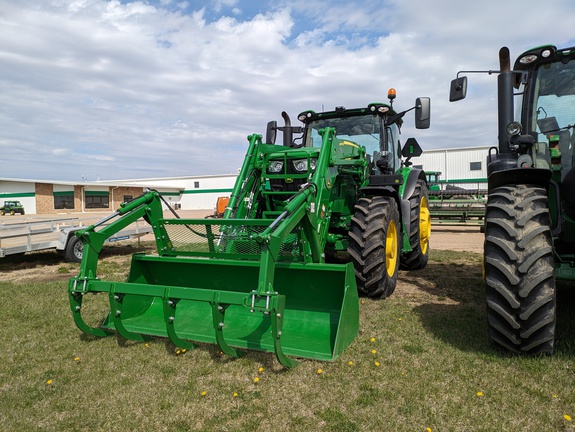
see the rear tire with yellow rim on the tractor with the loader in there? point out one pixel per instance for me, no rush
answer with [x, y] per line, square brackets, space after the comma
[419, 231]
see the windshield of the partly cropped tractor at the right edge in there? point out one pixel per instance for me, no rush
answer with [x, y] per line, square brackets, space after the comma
[554, 99]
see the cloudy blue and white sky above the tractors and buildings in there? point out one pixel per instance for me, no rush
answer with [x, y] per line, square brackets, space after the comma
[108, 90]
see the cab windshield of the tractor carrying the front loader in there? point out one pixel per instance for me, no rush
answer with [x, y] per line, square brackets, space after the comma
[363, 130]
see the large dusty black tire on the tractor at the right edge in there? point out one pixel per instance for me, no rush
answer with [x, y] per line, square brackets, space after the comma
[519, 270]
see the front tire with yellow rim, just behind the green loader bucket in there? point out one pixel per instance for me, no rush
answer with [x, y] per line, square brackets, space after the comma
[374, 245]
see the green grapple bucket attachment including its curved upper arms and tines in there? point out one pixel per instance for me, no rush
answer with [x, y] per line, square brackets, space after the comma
[239, 283]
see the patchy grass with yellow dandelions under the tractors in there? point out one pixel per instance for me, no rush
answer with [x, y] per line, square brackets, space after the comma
[422, 361]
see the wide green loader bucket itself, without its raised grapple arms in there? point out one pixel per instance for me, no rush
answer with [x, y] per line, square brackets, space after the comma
[200, 300]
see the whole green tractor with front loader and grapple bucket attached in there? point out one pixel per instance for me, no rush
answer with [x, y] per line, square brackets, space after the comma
[268, 275]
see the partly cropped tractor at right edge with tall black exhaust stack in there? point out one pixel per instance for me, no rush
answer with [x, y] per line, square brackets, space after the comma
[530, 215]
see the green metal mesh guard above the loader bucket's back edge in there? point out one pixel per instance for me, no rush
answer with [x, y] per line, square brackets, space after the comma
[226, 238]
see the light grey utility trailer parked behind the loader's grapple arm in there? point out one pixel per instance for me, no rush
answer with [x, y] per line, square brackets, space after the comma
[30, 236]
